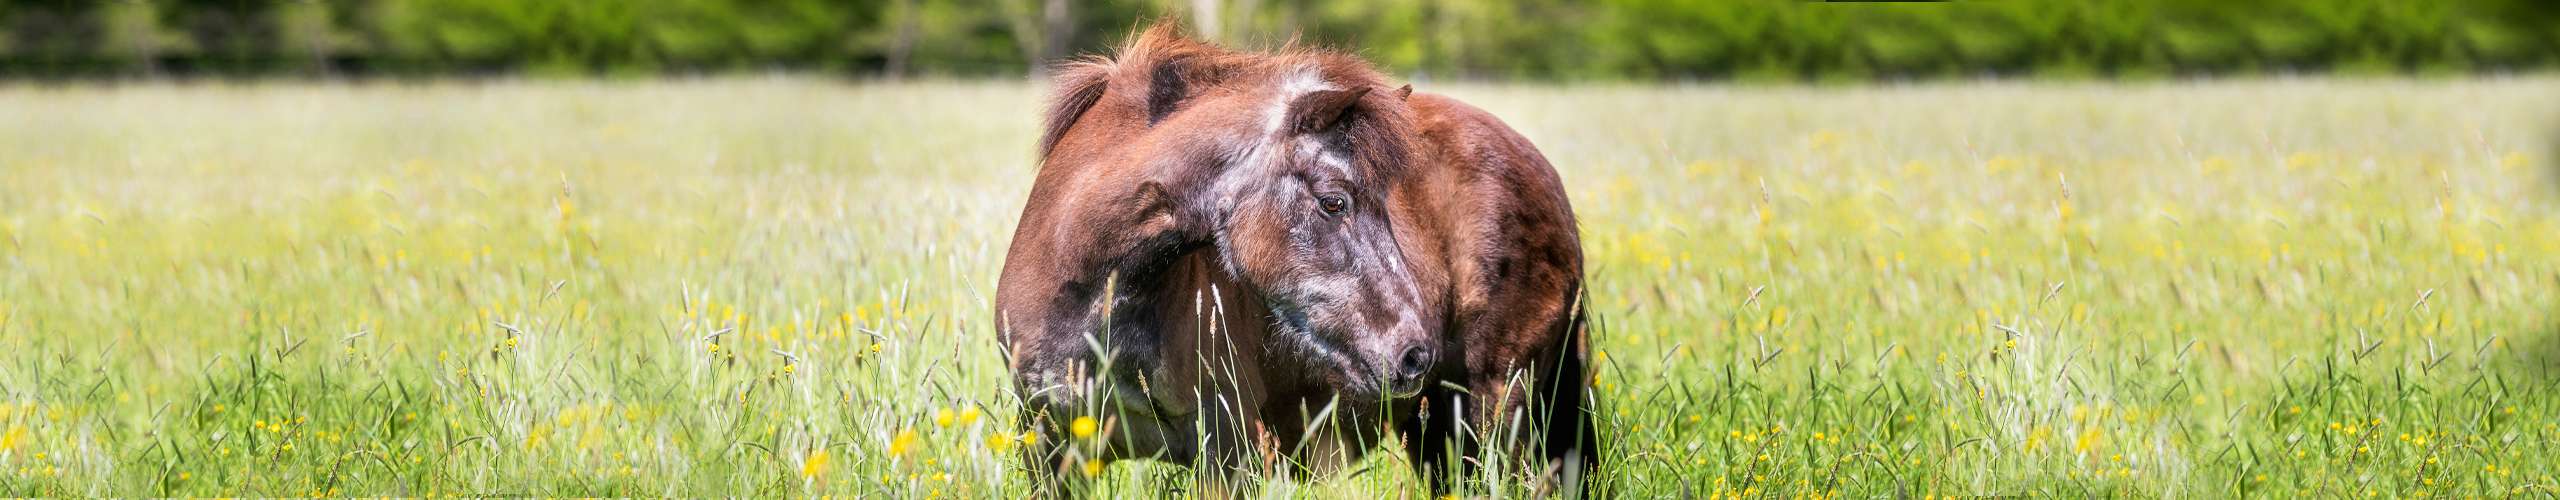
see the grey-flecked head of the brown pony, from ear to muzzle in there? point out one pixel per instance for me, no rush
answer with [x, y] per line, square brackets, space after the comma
[1338, 283]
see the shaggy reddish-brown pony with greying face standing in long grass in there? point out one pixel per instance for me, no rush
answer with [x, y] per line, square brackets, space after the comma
[1271, 260]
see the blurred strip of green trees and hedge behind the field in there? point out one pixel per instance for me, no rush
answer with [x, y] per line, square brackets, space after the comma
[1453, 40]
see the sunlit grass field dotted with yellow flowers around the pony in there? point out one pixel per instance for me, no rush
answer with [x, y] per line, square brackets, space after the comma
[513, 288]
